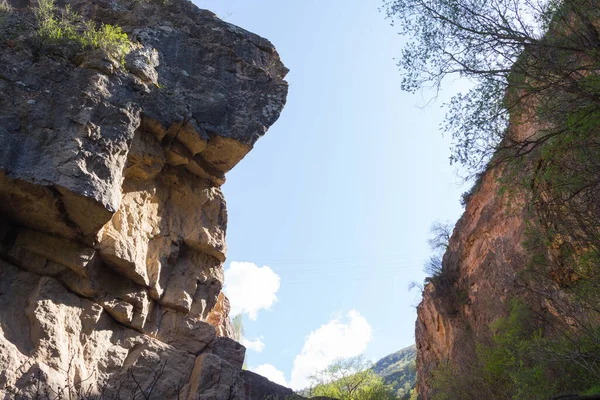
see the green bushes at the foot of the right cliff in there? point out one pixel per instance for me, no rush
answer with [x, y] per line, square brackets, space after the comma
[521, 363]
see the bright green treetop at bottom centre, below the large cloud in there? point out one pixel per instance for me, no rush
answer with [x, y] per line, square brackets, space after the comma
[349, 379]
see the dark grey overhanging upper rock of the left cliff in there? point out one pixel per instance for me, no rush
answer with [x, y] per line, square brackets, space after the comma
[216, 86]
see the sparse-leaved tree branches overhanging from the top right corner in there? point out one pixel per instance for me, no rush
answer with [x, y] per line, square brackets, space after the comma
[516, 52]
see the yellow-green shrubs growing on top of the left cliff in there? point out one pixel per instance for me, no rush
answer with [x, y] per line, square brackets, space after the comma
[65, 26]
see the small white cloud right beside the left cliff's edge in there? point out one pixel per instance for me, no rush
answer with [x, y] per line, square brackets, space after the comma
[250, 288]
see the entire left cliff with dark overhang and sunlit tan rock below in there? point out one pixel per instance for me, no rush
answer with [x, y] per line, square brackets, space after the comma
[112, 220]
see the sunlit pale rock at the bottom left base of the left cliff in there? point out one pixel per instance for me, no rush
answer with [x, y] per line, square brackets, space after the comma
[66, 339]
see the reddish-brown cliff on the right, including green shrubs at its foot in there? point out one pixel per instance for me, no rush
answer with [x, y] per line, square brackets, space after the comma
[513, 313]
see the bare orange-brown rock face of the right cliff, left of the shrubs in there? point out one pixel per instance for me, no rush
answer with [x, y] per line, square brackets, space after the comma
[480, 265]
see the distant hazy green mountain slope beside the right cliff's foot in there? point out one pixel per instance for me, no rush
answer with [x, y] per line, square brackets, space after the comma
[399, 370]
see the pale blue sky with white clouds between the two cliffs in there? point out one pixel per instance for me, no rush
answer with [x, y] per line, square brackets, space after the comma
[337, 199]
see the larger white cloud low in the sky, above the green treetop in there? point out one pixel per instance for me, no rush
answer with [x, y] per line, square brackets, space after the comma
[340, 338]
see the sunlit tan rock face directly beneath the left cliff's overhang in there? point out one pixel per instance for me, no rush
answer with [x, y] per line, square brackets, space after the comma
[143, 239]
